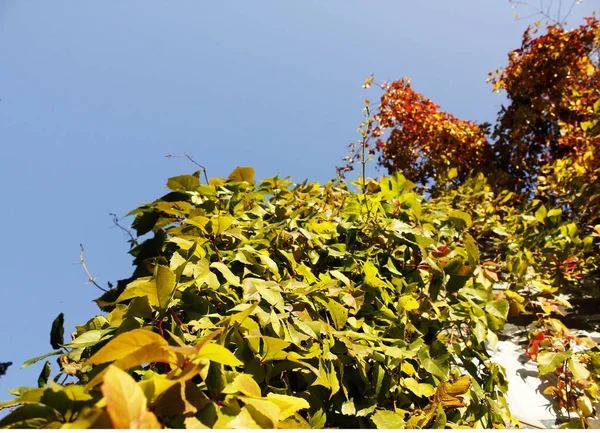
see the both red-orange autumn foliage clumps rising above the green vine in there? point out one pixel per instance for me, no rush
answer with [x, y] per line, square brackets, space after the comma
[552, 82]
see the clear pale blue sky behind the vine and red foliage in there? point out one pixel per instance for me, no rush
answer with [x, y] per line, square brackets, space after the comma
[95, 94]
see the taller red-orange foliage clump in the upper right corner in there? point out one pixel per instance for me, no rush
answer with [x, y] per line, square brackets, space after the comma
[552, 83]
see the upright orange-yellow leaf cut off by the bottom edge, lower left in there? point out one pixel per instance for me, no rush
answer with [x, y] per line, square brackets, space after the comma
[126, 403]
